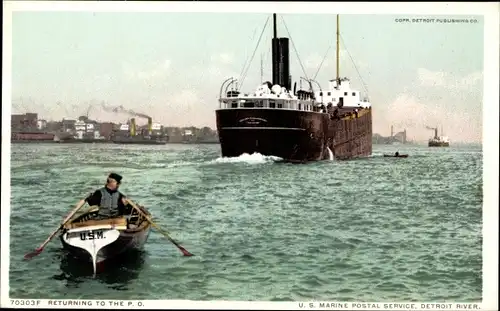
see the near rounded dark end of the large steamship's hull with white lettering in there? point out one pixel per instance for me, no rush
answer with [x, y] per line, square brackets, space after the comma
[290, 135]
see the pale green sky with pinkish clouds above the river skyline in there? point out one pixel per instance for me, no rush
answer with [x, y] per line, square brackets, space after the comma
[171, 65]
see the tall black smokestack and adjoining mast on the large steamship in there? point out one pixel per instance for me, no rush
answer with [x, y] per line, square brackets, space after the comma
[281, 59]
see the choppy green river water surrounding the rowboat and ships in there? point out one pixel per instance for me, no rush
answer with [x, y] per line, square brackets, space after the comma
[375, 229]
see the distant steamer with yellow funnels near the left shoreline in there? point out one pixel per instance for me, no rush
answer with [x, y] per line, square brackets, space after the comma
[152, 135]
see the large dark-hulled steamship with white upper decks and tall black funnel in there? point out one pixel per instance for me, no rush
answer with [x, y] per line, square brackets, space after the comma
[299, 125]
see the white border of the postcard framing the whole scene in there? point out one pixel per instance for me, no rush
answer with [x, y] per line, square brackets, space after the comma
[490, 134]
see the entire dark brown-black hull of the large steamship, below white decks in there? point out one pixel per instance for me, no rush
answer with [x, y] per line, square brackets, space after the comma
[295, 136]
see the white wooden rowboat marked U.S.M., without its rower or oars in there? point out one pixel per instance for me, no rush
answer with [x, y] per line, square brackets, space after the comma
[98, 240]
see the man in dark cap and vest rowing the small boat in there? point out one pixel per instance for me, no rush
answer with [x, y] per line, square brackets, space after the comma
[112, 203]
